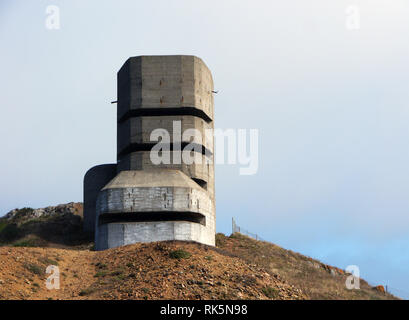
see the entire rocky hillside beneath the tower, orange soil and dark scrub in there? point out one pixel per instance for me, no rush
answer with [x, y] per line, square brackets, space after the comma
[237, 268]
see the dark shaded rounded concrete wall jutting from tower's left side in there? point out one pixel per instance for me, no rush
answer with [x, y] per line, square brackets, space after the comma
[94, 180]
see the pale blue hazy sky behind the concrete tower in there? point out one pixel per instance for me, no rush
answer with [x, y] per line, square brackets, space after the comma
[331, 105]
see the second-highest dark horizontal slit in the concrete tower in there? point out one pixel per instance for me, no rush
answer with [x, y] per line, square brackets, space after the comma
[134, 147]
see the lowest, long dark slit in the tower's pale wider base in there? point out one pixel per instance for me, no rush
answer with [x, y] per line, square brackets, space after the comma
[152, 216]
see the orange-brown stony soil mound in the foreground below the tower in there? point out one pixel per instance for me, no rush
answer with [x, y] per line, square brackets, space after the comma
[169, 270]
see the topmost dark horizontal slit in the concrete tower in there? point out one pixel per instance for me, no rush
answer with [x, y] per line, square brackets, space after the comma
[157, 112]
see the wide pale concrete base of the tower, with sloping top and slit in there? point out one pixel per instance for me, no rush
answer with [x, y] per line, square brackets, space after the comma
[157, 205]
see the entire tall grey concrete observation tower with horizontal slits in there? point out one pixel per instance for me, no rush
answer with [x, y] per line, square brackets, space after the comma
[138, 199]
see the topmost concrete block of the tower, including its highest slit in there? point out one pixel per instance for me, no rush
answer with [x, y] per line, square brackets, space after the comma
[169, 85]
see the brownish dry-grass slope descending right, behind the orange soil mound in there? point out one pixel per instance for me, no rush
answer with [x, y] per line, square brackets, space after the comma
[315, 279]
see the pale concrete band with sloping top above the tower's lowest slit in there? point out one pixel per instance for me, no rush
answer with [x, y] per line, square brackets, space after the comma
[160, 190]
